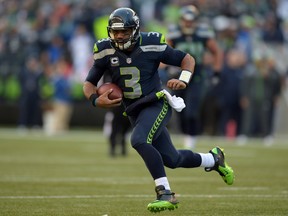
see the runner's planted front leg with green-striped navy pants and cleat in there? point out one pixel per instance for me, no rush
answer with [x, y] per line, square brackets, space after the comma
[149, 123]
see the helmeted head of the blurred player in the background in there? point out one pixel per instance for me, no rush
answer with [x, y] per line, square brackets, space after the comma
[188, 15]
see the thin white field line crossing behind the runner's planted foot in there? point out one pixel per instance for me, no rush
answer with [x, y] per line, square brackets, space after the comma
[143, 196]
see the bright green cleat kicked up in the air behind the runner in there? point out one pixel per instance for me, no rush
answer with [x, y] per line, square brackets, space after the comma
[225, 171]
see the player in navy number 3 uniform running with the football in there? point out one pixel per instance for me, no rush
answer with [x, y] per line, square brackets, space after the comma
[132, 58]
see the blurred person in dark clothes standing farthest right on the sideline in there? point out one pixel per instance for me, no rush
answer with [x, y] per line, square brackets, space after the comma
[260, 91]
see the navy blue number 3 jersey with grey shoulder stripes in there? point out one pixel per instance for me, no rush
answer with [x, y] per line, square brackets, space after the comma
[136, 72]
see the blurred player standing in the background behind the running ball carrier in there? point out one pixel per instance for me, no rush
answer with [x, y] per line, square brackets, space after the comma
[196, 38]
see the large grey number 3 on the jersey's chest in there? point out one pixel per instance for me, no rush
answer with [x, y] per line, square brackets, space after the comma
[132, 83]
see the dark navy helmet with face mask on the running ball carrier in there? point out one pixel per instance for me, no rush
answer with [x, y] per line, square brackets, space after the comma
[123, 19]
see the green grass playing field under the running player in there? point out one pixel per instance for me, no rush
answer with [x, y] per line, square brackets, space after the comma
[72, 174]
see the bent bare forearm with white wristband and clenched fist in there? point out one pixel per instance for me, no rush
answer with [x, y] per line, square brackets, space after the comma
[187, 66]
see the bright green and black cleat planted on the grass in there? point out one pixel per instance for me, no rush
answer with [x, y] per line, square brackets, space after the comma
[165, 200]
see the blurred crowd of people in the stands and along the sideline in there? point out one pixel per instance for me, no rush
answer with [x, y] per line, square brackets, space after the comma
[46, 51]
